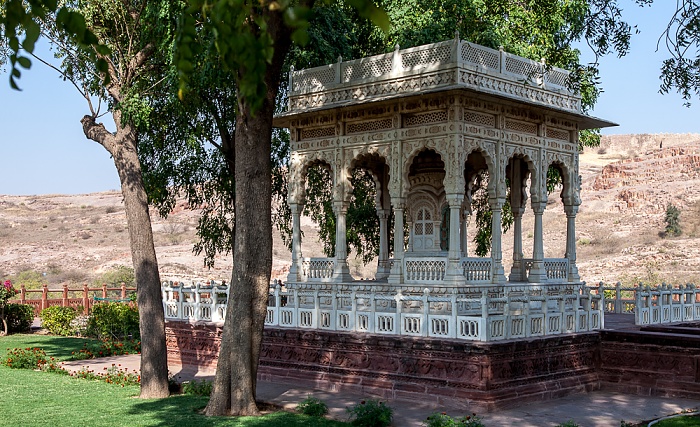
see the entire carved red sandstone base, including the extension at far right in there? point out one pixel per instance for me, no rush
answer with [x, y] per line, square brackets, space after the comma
[483, 376]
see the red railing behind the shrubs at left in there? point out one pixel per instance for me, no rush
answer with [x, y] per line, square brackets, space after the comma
[85, 301]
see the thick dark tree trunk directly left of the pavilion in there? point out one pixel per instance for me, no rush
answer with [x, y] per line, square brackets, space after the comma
[236, 371]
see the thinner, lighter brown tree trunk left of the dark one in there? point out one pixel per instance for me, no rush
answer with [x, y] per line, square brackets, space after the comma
[123, 148]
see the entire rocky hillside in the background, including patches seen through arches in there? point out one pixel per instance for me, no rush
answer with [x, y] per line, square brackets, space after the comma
[627, 183]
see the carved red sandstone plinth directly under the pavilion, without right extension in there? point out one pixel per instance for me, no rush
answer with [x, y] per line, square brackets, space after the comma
[481, 375]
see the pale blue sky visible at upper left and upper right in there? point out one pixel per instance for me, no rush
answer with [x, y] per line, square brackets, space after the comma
[43, 149]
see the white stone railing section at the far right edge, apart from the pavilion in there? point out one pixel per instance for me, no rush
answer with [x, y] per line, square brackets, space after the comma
[666, 304]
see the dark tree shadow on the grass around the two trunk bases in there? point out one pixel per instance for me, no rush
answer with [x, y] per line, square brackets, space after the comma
[177, 411]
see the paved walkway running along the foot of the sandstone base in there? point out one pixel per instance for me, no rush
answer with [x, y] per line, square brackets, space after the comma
[597, 409]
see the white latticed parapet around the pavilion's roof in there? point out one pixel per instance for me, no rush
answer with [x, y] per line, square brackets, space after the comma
[477, 67]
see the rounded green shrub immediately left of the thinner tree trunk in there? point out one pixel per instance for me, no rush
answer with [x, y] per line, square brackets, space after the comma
[113, 320]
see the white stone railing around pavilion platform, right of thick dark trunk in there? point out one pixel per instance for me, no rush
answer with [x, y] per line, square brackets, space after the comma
[507, 315]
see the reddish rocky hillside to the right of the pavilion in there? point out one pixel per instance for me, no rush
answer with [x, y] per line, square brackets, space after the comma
[628, 183]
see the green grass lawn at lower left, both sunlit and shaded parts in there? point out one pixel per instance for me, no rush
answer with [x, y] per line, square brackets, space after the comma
[31, 398]
